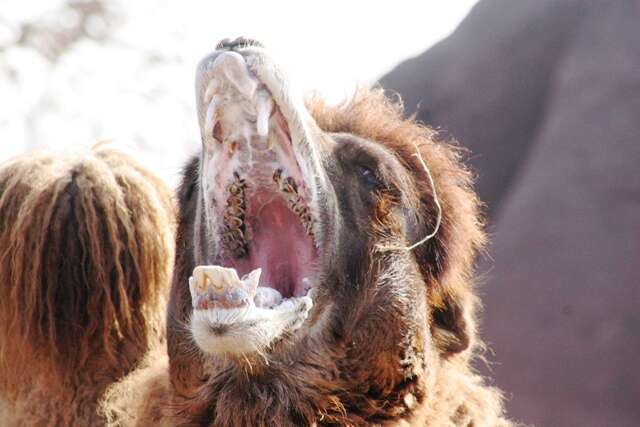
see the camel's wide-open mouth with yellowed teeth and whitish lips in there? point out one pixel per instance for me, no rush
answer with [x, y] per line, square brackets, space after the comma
[258, 202]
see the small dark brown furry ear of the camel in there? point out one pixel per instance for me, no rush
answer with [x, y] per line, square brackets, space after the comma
[450, 327]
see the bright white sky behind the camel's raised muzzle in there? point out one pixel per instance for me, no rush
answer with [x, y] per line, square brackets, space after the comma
[137, 87]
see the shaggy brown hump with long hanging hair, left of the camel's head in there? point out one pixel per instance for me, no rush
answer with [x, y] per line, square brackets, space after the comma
[86, 246]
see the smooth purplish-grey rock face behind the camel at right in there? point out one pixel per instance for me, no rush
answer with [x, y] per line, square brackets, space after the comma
[546, 94]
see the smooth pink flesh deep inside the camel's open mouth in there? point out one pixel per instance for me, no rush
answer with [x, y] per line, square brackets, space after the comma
[279, 245]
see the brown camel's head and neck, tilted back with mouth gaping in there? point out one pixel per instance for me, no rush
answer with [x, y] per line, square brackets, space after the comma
[361, 228]
